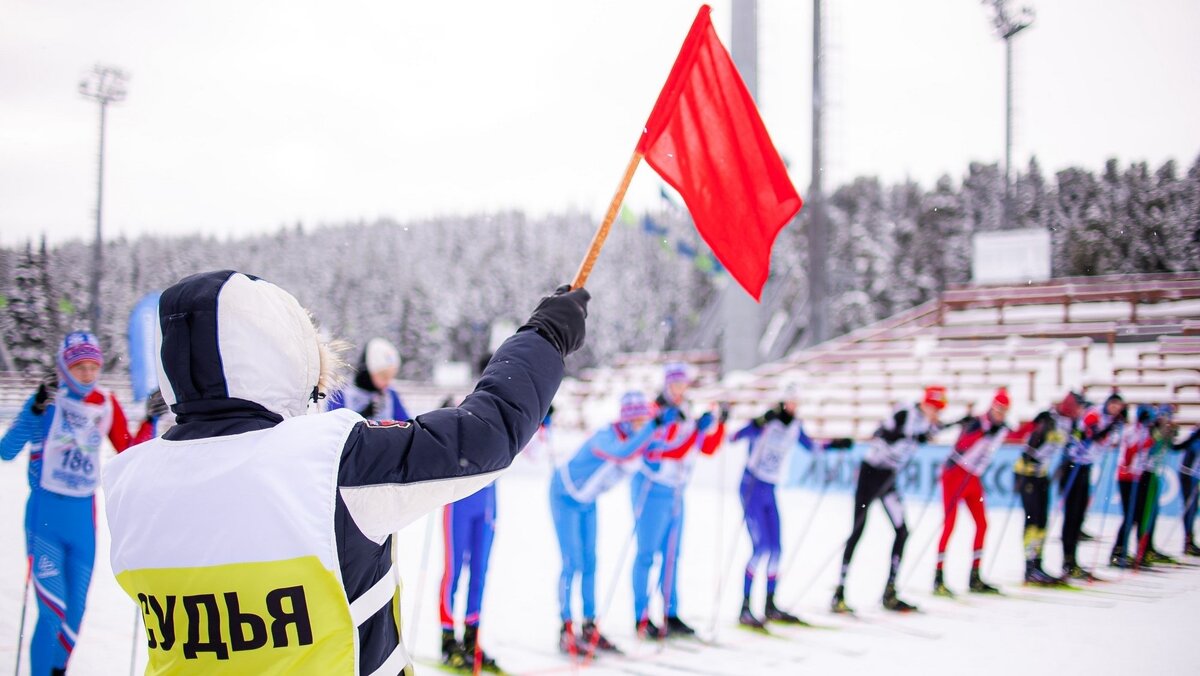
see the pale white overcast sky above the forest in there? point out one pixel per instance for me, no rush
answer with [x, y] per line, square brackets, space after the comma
[245, 117]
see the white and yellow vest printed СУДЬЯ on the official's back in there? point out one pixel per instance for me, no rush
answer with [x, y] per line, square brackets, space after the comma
[227, 546]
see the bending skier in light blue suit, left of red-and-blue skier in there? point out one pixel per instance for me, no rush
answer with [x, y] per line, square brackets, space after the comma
[602, 463]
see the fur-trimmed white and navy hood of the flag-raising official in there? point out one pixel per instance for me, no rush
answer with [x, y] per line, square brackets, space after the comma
[227, 340]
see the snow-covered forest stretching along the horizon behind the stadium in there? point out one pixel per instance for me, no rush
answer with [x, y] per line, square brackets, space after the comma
[435, 288]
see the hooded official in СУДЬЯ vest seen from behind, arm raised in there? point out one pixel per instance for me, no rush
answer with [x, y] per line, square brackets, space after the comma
[259, 540]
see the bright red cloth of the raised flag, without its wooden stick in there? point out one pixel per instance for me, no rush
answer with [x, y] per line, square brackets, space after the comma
[705, 137]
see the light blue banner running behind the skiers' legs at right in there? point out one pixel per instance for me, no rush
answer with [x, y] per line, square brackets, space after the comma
[921, 481]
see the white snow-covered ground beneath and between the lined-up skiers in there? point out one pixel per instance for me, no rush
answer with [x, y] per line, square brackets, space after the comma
[1115, 629]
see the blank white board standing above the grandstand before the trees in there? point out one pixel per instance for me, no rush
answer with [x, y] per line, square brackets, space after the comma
[1011, 256]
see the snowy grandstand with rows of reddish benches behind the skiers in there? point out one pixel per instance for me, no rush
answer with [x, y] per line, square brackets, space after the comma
[1139, 334]
